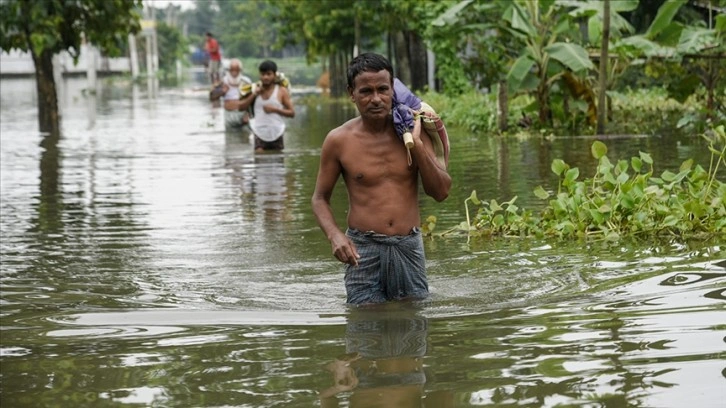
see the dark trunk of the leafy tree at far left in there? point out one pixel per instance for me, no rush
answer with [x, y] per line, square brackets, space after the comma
[48, 117]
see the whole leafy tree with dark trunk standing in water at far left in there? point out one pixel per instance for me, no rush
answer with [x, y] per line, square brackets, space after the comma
[47, 27]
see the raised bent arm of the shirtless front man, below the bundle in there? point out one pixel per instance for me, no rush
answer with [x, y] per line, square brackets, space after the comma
[434, 177]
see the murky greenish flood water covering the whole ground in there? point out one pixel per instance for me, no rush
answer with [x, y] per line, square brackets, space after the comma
[151, 259]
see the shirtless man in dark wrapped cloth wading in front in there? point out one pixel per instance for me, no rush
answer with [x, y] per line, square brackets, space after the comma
[382, 246]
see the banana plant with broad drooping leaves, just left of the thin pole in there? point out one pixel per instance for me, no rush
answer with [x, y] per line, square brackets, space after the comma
[544, 28]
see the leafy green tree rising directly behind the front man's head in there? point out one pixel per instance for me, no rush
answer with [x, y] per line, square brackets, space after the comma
[332, 30]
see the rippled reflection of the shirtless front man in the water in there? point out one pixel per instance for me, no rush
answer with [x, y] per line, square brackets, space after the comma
[384, 361]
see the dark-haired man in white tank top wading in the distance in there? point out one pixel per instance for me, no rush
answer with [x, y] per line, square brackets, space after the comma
[271, 104]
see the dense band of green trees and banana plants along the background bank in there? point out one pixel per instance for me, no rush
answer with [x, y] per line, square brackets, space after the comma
[544, 52]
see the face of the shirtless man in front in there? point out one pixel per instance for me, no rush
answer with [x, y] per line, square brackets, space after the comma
[373, 94]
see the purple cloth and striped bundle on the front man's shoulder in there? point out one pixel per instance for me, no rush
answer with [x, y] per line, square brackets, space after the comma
[407, 107]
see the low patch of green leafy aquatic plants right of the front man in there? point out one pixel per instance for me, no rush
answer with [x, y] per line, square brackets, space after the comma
[622, 199]
